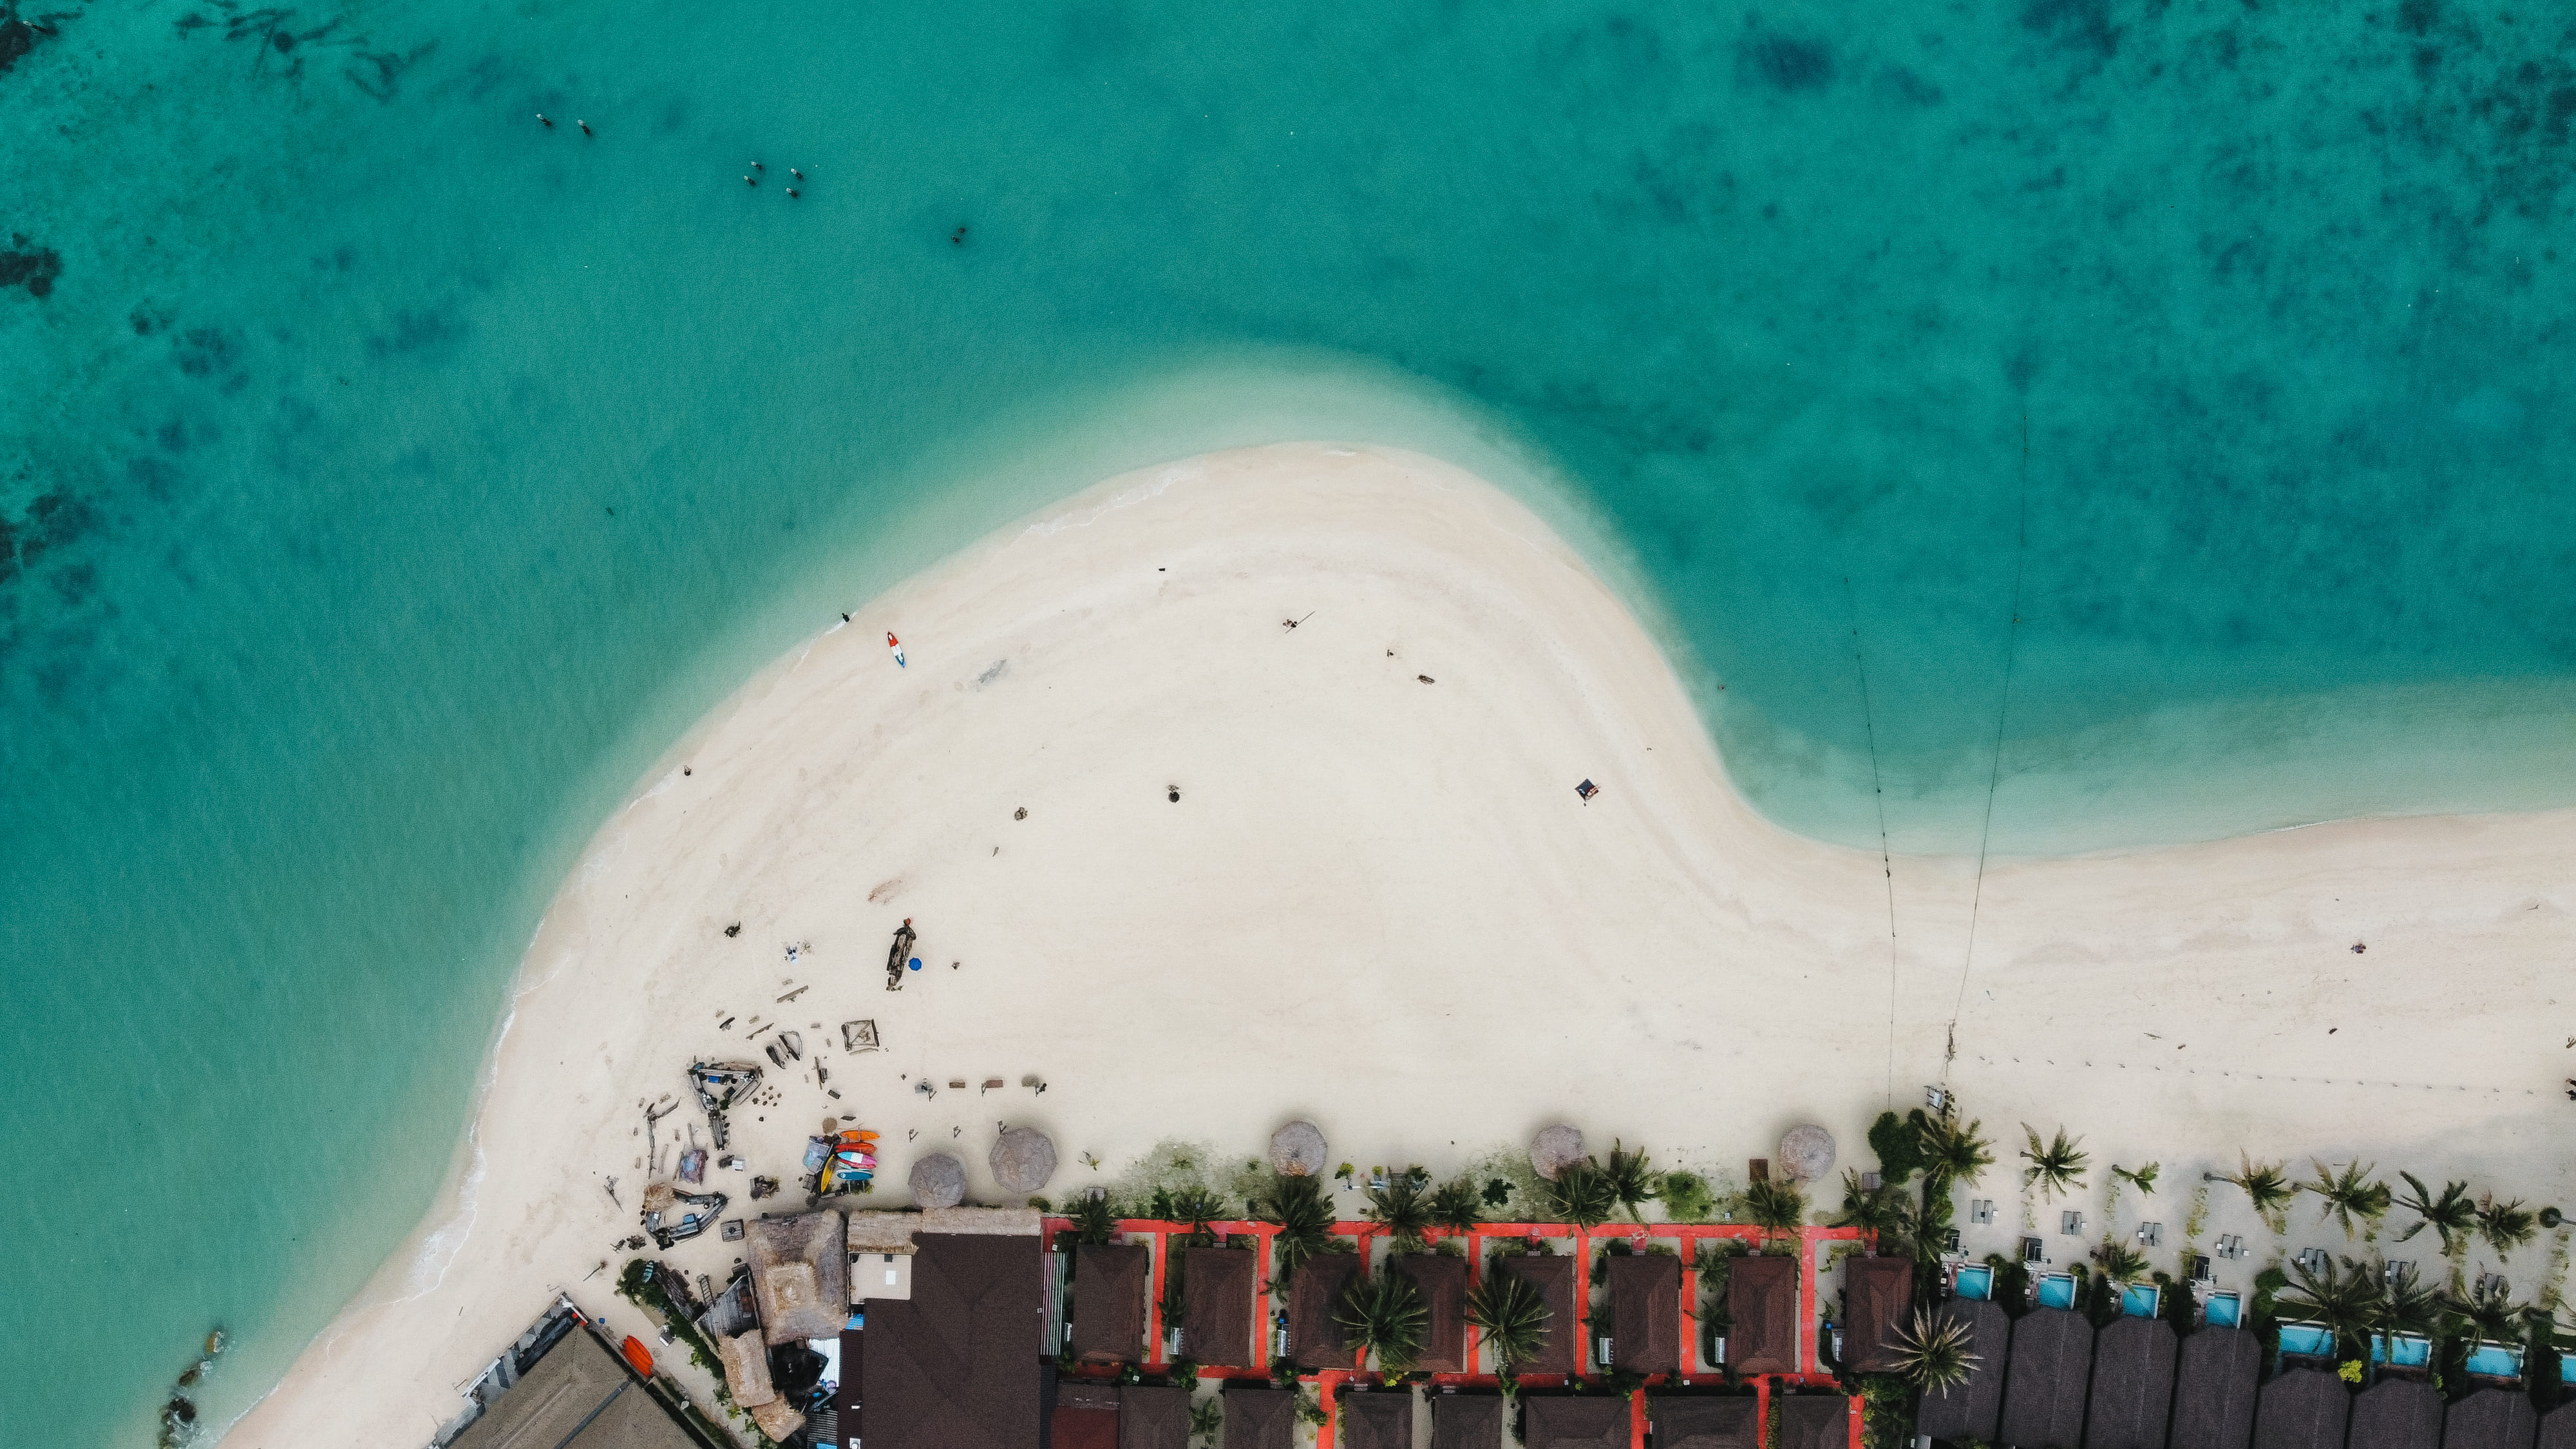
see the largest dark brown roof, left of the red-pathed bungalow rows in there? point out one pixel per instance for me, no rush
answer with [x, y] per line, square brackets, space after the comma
[957, 1363]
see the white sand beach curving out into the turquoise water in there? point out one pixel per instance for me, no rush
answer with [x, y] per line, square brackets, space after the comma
[1379, 904]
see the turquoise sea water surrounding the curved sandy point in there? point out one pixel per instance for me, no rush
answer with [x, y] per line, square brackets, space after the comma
[385, 478]
